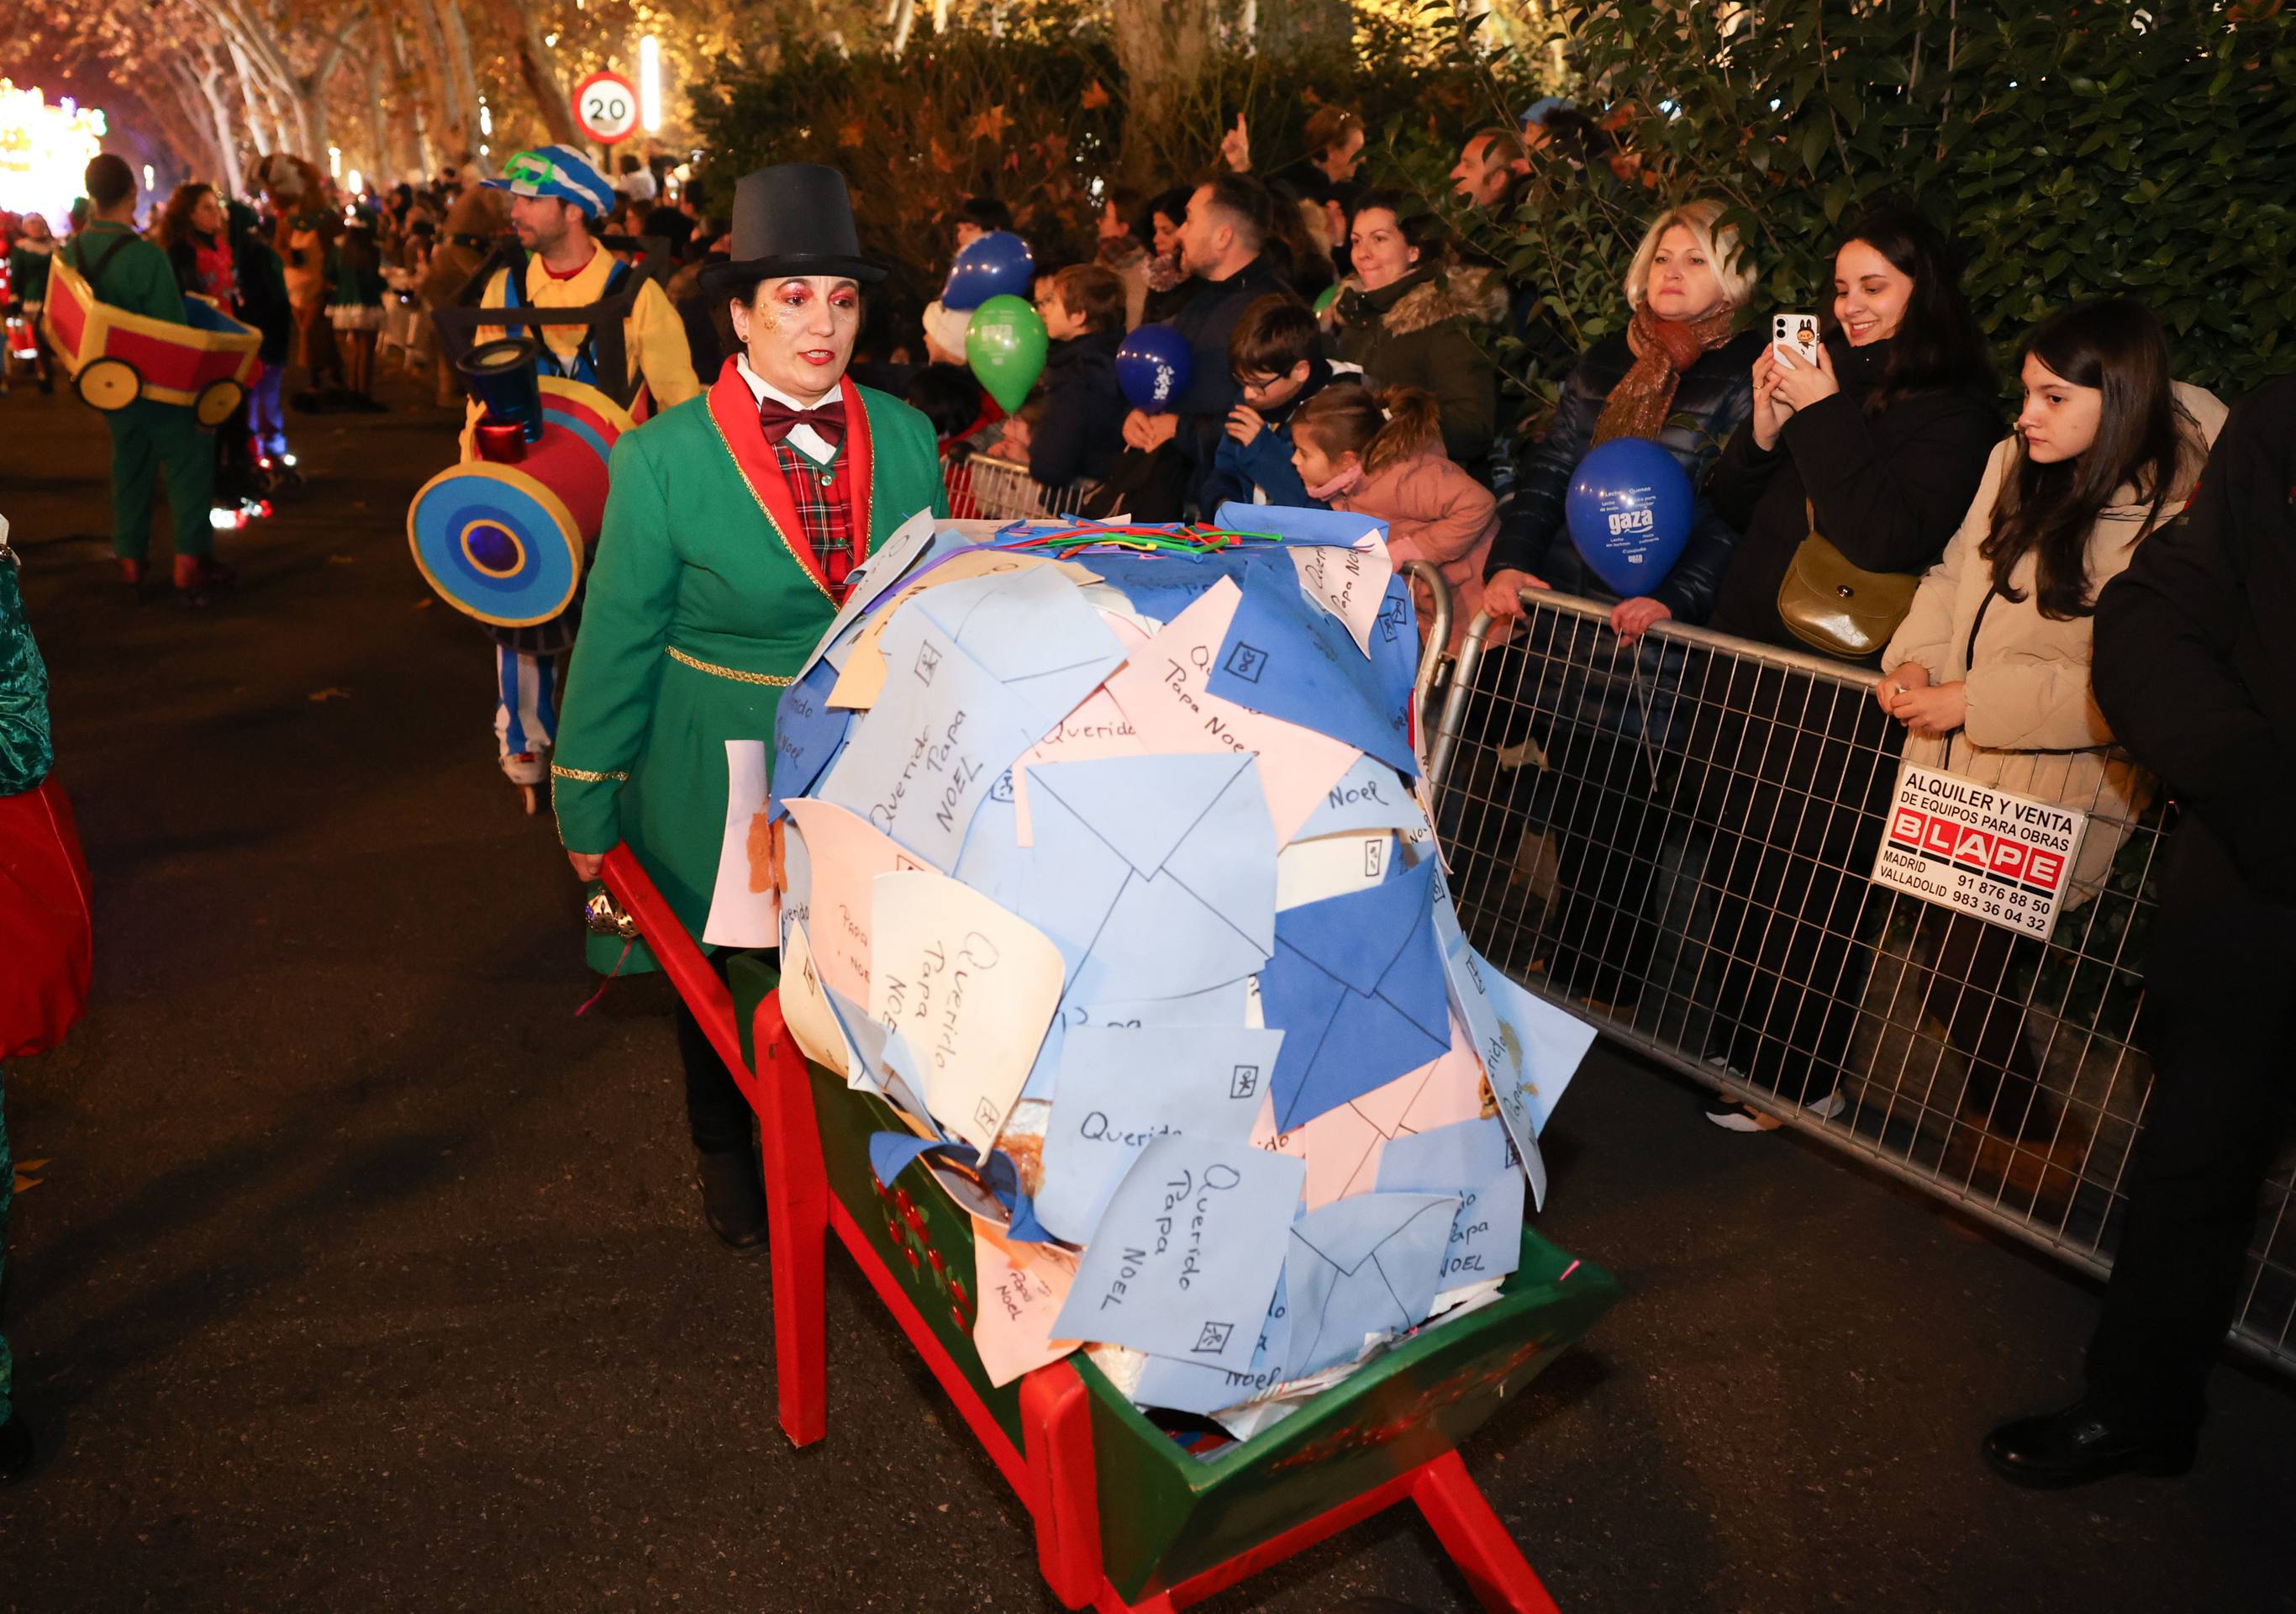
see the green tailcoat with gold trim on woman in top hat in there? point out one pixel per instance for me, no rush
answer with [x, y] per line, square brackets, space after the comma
[692, 571]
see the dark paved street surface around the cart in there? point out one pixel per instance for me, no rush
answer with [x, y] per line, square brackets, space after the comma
[366, 1275]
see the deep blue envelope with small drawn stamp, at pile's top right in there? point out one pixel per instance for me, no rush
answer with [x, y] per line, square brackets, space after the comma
[1294, 660]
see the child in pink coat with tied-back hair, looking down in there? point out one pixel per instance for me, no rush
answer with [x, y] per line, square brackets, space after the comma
[1383, 458]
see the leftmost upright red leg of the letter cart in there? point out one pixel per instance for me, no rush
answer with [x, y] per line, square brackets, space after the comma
[798, 1209]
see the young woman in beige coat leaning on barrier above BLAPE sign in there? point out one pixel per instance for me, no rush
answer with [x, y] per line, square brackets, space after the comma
[1992, 667]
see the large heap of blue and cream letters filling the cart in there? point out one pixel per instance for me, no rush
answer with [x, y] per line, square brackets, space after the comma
[1115, 874]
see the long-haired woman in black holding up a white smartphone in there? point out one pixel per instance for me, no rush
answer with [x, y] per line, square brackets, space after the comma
[1877, 447]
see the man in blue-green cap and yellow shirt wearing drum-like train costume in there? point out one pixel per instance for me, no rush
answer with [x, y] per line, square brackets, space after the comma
[554, 203]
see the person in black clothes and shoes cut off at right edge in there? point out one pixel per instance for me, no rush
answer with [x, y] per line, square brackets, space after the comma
[2196, 672]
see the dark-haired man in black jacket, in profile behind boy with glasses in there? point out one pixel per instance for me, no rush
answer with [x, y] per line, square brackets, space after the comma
[1230, 222]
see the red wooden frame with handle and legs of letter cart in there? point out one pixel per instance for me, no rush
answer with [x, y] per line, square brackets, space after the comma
[1055, 1468]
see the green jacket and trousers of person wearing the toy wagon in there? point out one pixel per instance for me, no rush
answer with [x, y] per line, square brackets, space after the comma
[148, 437]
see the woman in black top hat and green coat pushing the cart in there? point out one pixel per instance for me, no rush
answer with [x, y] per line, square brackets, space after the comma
[731, 529]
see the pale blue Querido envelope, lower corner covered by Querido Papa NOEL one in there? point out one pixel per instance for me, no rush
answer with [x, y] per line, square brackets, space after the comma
[1119, 1089]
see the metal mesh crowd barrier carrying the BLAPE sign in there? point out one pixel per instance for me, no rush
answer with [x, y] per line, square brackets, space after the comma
[1677, 837]
